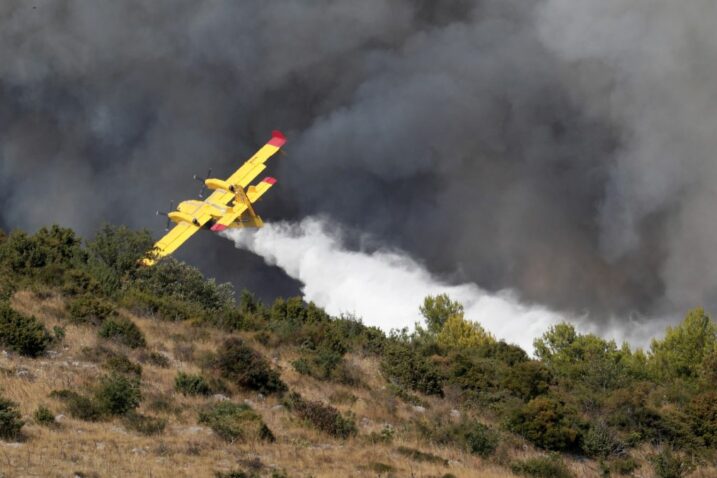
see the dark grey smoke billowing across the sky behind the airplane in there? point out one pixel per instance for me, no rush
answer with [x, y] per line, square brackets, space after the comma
[563, 148]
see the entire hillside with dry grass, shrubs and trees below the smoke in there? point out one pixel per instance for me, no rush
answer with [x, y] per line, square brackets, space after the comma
[110, 370]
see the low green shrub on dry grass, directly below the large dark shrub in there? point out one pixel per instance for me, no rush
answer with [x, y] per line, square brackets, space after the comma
[235, 422]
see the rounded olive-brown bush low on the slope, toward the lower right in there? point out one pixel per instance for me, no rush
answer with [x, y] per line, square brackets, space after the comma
[548, 423]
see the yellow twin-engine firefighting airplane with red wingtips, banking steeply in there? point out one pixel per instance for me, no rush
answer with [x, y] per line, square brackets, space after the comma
[229, 206]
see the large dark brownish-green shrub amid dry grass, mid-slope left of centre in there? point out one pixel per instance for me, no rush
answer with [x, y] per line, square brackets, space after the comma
[242, 365]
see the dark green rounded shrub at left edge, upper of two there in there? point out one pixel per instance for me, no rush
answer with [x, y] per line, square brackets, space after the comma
[23, 334]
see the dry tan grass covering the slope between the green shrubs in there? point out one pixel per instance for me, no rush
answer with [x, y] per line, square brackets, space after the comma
[188, 449]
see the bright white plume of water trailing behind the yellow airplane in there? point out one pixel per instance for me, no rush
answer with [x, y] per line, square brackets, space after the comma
[382, 287]
